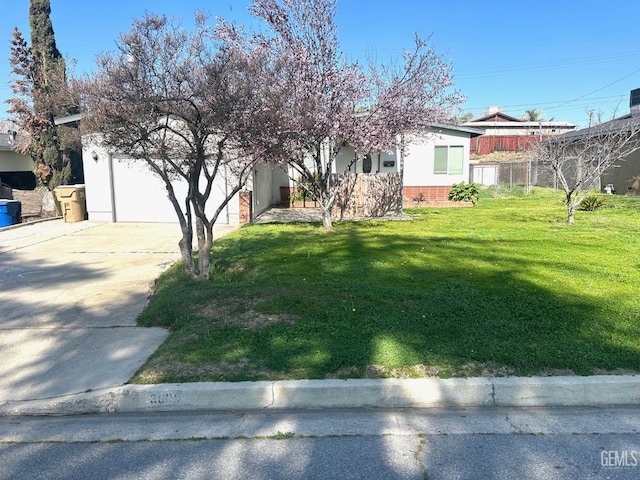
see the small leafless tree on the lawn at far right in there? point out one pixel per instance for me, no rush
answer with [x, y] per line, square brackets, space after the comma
[578, 159]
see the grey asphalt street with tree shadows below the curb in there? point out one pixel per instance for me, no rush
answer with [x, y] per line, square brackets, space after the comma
[489, 443]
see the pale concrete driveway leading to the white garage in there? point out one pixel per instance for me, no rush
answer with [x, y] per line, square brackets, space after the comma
[69, 297]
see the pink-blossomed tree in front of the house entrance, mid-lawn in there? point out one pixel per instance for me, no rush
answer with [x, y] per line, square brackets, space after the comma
[325, 103]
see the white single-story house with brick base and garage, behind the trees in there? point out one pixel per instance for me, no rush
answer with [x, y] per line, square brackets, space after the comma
[120, 189]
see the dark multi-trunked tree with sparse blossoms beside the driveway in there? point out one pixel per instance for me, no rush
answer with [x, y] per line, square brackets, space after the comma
[191, 106]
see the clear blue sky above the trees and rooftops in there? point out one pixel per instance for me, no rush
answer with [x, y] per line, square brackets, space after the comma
[564, 57]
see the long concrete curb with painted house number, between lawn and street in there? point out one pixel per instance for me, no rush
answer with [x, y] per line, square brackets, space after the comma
[318, 394]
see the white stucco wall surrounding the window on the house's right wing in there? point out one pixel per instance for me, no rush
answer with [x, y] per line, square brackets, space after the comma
[419, 159]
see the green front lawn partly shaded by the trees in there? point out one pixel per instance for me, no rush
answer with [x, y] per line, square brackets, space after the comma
[504, 288]
